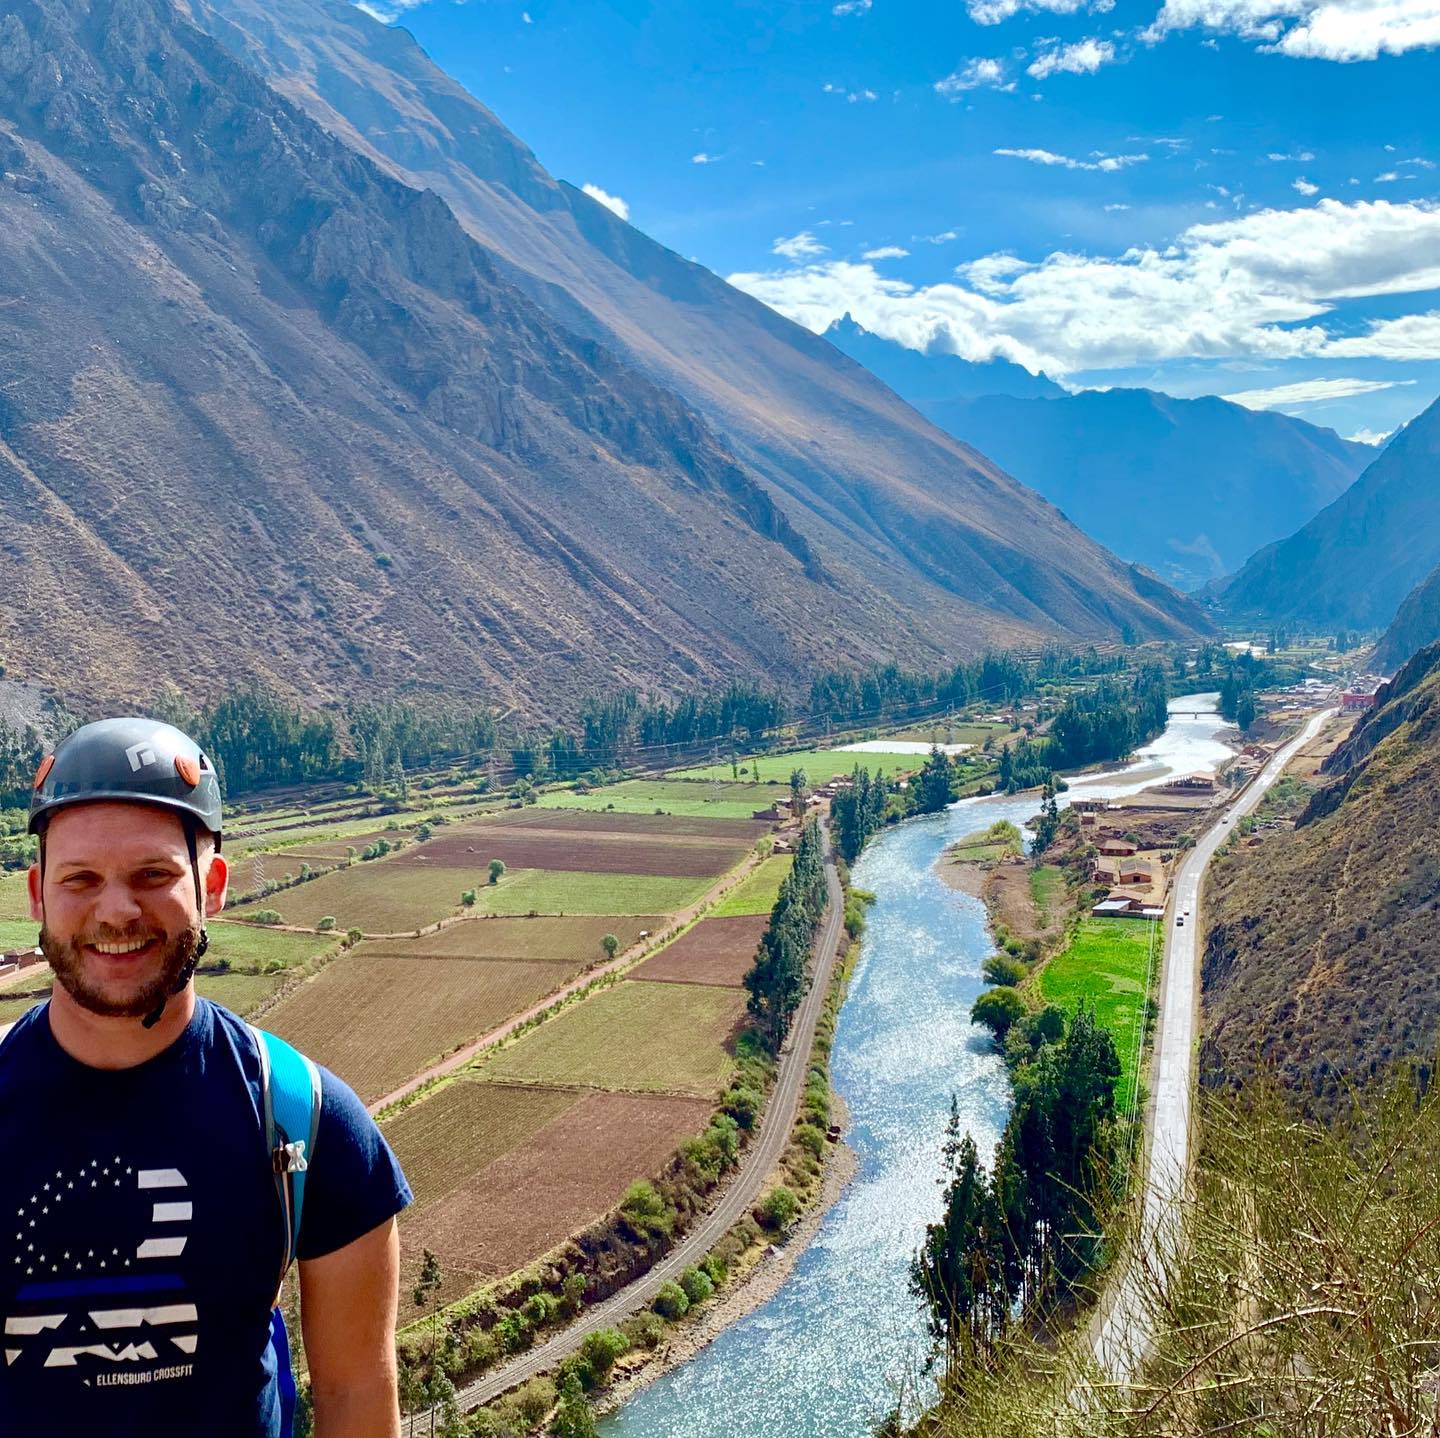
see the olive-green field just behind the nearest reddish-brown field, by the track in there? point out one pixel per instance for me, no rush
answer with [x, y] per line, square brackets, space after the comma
[634, 1037]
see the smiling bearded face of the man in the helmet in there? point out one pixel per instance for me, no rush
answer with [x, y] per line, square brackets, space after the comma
[119, 913]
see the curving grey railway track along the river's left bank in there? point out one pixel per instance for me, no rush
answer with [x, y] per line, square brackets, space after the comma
[737, 1200]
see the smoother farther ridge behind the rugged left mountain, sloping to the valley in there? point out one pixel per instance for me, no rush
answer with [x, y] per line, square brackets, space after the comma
[843, 456]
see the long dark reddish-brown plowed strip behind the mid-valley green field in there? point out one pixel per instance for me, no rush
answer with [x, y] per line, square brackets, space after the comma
[473, 849]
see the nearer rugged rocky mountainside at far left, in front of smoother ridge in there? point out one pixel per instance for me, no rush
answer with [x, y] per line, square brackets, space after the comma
[269, 411]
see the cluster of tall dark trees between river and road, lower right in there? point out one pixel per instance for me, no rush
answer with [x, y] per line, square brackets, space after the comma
[1016, 1239]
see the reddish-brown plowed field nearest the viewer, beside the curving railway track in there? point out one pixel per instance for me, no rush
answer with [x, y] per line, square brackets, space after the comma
[571, 1172]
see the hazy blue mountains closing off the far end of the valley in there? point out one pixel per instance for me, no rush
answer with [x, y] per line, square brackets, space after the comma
[1190, 489]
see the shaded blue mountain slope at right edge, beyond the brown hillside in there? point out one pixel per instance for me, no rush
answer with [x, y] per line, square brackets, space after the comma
[1357, 561]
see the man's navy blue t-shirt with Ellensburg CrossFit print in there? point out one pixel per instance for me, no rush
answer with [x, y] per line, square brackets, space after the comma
[143, 1237]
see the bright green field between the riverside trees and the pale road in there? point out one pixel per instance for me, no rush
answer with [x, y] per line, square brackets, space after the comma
[1107, 968]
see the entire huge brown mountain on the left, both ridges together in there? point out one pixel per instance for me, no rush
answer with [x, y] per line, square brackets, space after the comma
[312, 375]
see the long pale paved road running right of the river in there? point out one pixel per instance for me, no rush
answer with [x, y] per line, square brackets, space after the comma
[1121, 1339]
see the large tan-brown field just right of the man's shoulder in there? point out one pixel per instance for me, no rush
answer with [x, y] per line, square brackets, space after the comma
[377, 1021]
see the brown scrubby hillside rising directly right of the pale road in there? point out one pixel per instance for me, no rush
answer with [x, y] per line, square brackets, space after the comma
[1323, 959]
